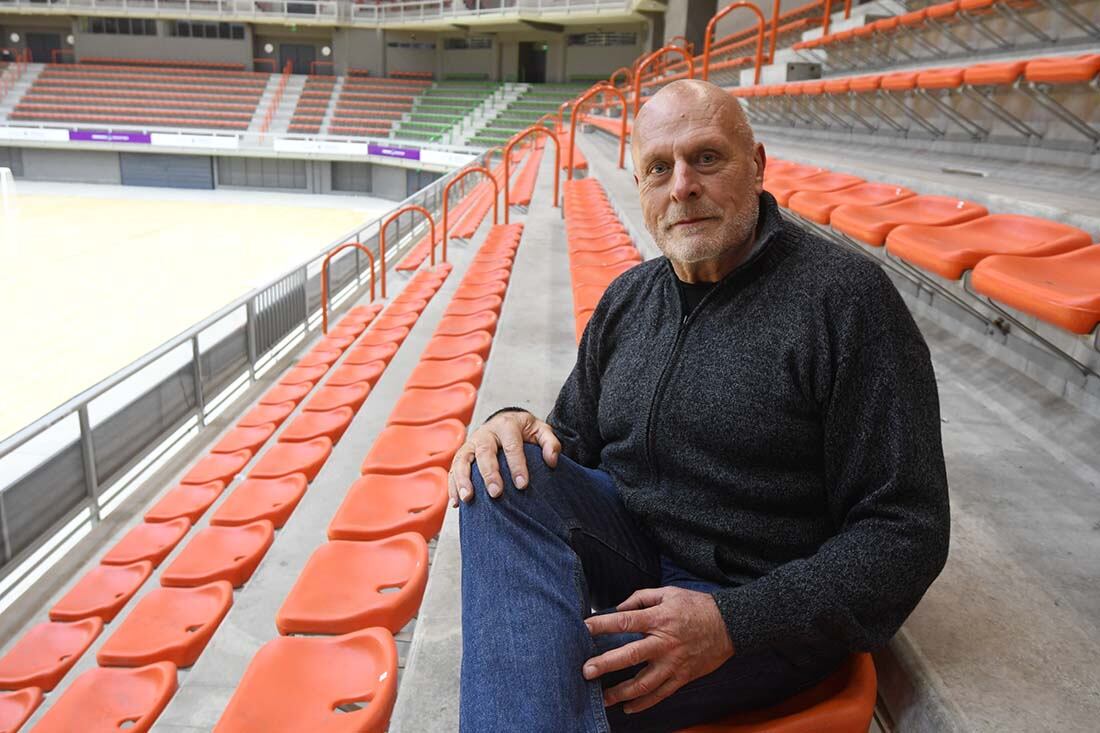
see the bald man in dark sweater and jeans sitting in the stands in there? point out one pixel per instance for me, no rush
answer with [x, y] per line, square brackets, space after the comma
[742, 482]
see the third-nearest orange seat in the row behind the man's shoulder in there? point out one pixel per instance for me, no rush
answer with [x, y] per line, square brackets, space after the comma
[872, 224]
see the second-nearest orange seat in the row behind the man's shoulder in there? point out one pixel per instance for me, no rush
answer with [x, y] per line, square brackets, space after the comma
[951, 251]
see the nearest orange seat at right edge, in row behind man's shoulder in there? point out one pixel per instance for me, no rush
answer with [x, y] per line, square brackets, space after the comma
[1063, 290]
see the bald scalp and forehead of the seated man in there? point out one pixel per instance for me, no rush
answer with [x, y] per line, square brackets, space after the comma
[687, 100]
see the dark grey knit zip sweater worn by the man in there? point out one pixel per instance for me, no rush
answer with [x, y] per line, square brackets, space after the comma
[783, 440]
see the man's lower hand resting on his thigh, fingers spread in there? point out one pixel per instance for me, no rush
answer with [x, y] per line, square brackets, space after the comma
[685, 640]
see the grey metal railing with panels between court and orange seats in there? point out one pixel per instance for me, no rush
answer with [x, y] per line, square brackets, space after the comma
[64, 473]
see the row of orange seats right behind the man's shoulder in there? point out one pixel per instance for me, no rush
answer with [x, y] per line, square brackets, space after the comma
[1046, 269]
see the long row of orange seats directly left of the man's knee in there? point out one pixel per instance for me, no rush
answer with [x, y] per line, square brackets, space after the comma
[344, 676]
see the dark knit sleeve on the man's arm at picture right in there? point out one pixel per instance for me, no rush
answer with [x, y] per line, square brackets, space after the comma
[887, 494]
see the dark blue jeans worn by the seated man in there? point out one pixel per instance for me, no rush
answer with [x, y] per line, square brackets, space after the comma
[534, 564]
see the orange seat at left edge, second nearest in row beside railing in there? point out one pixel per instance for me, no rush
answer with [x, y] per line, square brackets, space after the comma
[43, 657]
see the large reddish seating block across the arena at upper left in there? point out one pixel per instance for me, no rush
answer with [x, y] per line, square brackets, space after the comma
[105, 94]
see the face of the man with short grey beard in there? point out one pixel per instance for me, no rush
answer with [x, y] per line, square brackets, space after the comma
[699, 181]
